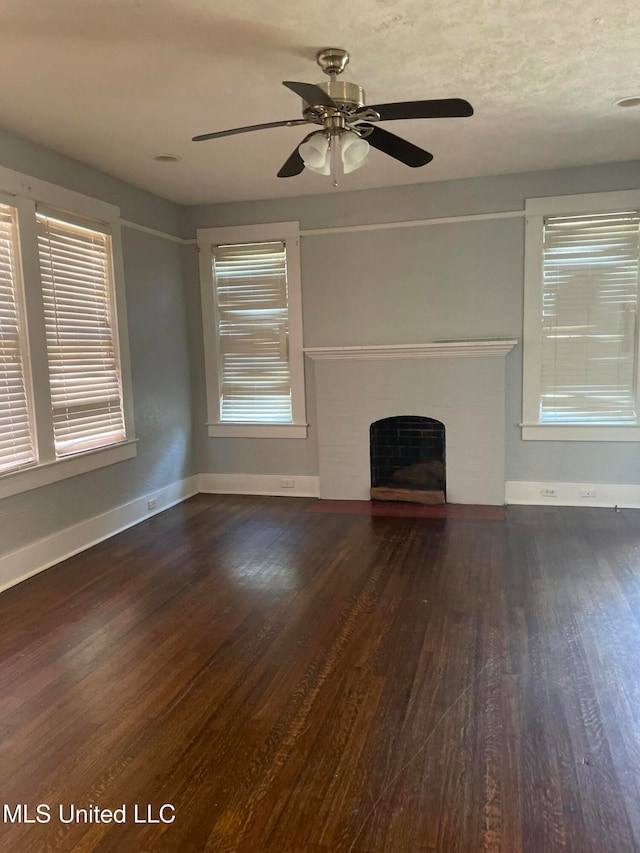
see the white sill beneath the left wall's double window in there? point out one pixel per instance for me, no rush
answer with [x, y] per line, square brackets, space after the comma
[51, 472]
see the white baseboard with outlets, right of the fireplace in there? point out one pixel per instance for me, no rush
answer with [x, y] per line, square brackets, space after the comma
[571, 494]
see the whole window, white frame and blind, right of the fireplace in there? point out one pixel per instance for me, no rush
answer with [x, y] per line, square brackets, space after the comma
[581, 336]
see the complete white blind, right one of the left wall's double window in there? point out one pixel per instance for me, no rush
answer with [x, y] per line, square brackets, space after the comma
[84, 371]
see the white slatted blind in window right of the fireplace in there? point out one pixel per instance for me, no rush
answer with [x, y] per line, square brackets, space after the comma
[589, 335]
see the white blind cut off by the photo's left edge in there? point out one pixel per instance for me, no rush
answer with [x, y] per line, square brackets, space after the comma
[16, 444]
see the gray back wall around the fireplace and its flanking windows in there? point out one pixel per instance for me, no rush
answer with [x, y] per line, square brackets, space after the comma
[411, 285]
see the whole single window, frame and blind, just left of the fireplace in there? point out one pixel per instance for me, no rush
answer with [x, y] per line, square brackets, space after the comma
[252, 318]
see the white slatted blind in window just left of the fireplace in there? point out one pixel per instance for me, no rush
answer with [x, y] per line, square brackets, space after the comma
[253, 327]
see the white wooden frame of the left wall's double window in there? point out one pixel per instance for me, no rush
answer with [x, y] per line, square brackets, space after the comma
[28, 195]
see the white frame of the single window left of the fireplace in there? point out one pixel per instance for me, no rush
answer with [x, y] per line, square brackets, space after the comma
[207, 239]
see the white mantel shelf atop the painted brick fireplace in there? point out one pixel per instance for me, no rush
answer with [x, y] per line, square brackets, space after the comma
[435, 349]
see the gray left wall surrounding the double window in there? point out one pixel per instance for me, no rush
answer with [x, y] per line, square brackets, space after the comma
[160, 358]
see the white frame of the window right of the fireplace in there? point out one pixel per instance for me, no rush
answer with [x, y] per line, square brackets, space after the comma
[536, 209]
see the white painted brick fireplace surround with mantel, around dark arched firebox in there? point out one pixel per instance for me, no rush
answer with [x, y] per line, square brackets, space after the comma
[460, 383]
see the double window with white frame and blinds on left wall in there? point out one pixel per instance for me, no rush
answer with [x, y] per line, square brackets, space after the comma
[65, 388]
